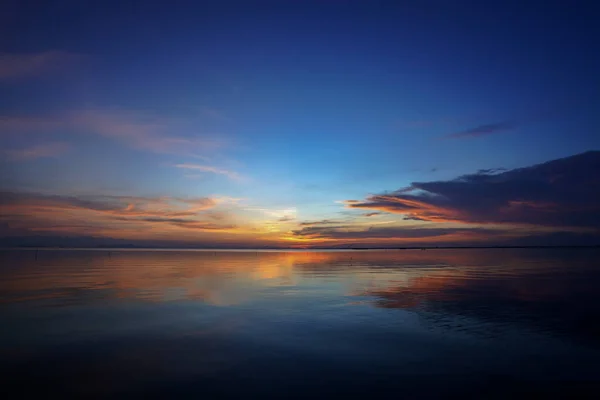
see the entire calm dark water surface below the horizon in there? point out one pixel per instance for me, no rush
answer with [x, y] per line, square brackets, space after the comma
[402, 324]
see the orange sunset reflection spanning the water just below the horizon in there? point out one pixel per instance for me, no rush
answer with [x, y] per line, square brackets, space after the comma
[398, 278]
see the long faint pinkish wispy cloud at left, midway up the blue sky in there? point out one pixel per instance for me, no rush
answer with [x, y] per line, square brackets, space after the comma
[136, 130]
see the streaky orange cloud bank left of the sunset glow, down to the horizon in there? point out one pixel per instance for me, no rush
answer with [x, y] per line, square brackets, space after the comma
[173, 221]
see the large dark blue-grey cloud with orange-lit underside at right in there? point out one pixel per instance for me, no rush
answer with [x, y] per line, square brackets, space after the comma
[558, 193]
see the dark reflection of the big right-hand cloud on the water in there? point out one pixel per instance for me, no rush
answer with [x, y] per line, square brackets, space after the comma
[554, 293]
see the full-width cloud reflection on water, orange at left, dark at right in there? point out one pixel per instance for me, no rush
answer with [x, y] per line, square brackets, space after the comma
[553, 290]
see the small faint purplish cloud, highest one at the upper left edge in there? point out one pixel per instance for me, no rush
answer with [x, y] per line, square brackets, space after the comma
[13, 65]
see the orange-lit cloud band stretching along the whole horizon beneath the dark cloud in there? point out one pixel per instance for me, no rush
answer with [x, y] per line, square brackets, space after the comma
[206, 221]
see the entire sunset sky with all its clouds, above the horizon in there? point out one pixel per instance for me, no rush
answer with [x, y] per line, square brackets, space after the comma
[299, 123]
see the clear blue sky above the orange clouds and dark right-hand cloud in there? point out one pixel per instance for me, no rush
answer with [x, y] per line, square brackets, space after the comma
[285, 105]
